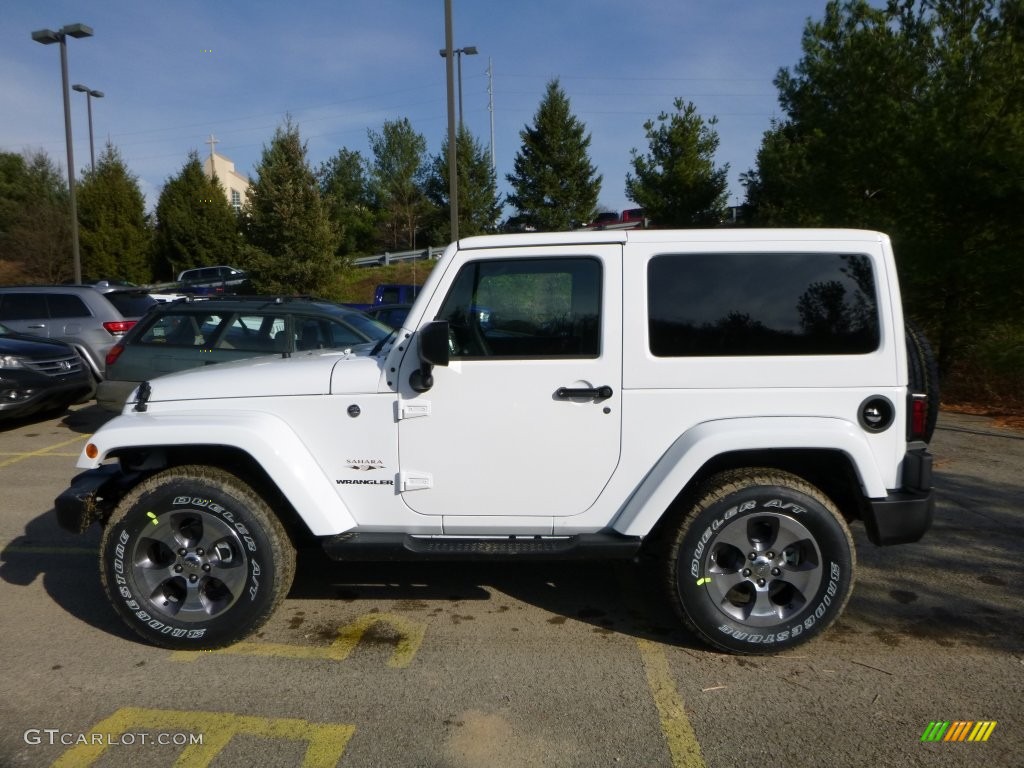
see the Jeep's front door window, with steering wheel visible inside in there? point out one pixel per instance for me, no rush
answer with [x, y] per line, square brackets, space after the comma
[526, 309]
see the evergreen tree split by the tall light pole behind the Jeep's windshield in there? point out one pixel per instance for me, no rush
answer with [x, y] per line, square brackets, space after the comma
[480, 203]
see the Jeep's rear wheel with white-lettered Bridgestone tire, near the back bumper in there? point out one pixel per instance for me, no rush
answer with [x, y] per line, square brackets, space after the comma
[761, 562]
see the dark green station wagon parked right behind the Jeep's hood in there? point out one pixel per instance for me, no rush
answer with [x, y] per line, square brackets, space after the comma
[200, 331]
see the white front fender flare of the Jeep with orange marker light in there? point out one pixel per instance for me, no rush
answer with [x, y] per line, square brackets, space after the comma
[268, 439]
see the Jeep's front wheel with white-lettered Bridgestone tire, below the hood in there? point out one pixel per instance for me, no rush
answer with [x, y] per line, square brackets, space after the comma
[194, 560]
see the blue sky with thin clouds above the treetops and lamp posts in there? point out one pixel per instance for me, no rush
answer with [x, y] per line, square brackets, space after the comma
[176, 73]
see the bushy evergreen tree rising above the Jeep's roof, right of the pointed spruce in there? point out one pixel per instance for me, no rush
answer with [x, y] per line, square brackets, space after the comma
[676, 182]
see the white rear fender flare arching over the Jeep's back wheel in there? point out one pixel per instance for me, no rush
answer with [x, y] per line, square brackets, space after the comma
[702, 444]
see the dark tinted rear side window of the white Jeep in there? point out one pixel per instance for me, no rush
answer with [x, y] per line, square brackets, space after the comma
[729, 305]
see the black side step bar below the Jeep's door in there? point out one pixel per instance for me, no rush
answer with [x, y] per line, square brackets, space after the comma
[376, 547]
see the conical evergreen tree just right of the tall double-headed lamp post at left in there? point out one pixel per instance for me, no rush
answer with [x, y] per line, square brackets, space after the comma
[114, 233]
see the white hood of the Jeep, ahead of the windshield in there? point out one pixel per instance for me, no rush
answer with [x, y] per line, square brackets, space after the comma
[303, 374]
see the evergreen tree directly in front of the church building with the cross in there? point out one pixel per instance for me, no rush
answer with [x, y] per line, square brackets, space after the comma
[196, 226]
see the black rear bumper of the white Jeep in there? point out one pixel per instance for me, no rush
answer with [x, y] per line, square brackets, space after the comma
[905, 516]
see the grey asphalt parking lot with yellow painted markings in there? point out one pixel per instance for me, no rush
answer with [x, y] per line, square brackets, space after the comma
[502, 665]
